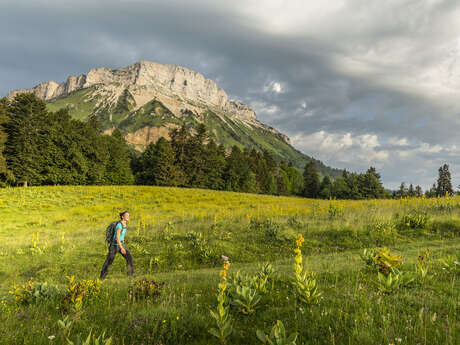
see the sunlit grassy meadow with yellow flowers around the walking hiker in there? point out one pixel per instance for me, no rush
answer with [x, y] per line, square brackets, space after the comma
[52, 249]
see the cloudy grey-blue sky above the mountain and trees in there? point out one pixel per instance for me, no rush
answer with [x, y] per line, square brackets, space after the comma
[352, 83]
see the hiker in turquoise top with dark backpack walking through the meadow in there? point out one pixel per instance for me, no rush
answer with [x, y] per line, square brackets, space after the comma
[117, 246]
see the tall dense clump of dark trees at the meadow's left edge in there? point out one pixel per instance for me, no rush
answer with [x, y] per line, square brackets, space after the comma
[38, 147]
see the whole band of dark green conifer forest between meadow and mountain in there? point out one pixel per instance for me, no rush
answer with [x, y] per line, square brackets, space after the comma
[39, 147]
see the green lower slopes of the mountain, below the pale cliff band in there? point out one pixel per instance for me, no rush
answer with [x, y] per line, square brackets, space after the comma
[120, 110]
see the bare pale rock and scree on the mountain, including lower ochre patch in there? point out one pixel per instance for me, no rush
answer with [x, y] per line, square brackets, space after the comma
[181, 90]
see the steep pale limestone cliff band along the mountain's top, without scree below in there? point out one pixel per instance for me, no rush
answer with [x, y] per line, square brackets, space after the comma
[167, 79]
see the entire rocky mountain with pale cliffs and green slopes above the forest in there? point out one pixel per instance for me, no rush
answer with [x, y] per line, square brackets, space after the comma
[147, 99]
